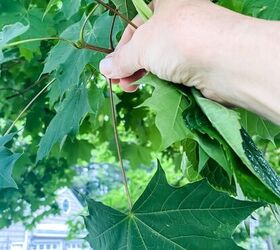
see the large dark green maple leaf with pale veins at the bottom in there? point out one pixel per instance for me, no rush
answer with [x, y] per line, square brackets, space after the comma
[194, 216]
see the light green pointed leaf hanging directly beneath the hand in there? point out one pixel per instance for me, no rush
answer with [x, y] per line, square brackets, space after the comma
[168, 104]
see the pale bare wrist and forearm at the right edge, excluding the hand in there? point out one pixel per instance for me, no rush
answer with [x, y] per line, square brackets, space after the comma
[248, 67]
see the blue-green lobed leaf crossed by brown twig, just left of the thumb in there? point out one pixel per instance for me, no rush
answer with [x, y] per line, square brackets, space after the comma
[69, 62]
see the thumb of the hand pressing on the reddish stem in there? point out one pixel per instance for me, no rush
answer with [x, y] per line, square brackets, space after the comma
[122, 63]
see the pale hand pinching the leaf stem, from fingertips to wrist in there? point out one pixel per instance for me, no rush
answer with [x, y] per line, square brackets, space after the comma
[179, 44]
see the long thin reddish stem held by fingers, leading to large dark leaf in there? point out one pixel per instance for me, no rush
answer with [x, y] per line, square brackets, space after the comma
[116, 134]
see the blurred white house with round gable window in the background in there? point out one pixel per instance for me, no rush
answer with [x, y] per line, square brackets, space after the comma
[51, 233]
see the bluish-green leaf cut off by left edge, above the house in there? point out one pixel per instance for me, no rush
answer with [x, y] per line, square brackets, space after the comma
[7, 161]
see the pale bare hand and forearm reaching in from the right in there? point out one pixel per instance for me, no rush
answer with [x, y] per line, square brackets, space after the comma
[229, 57]
